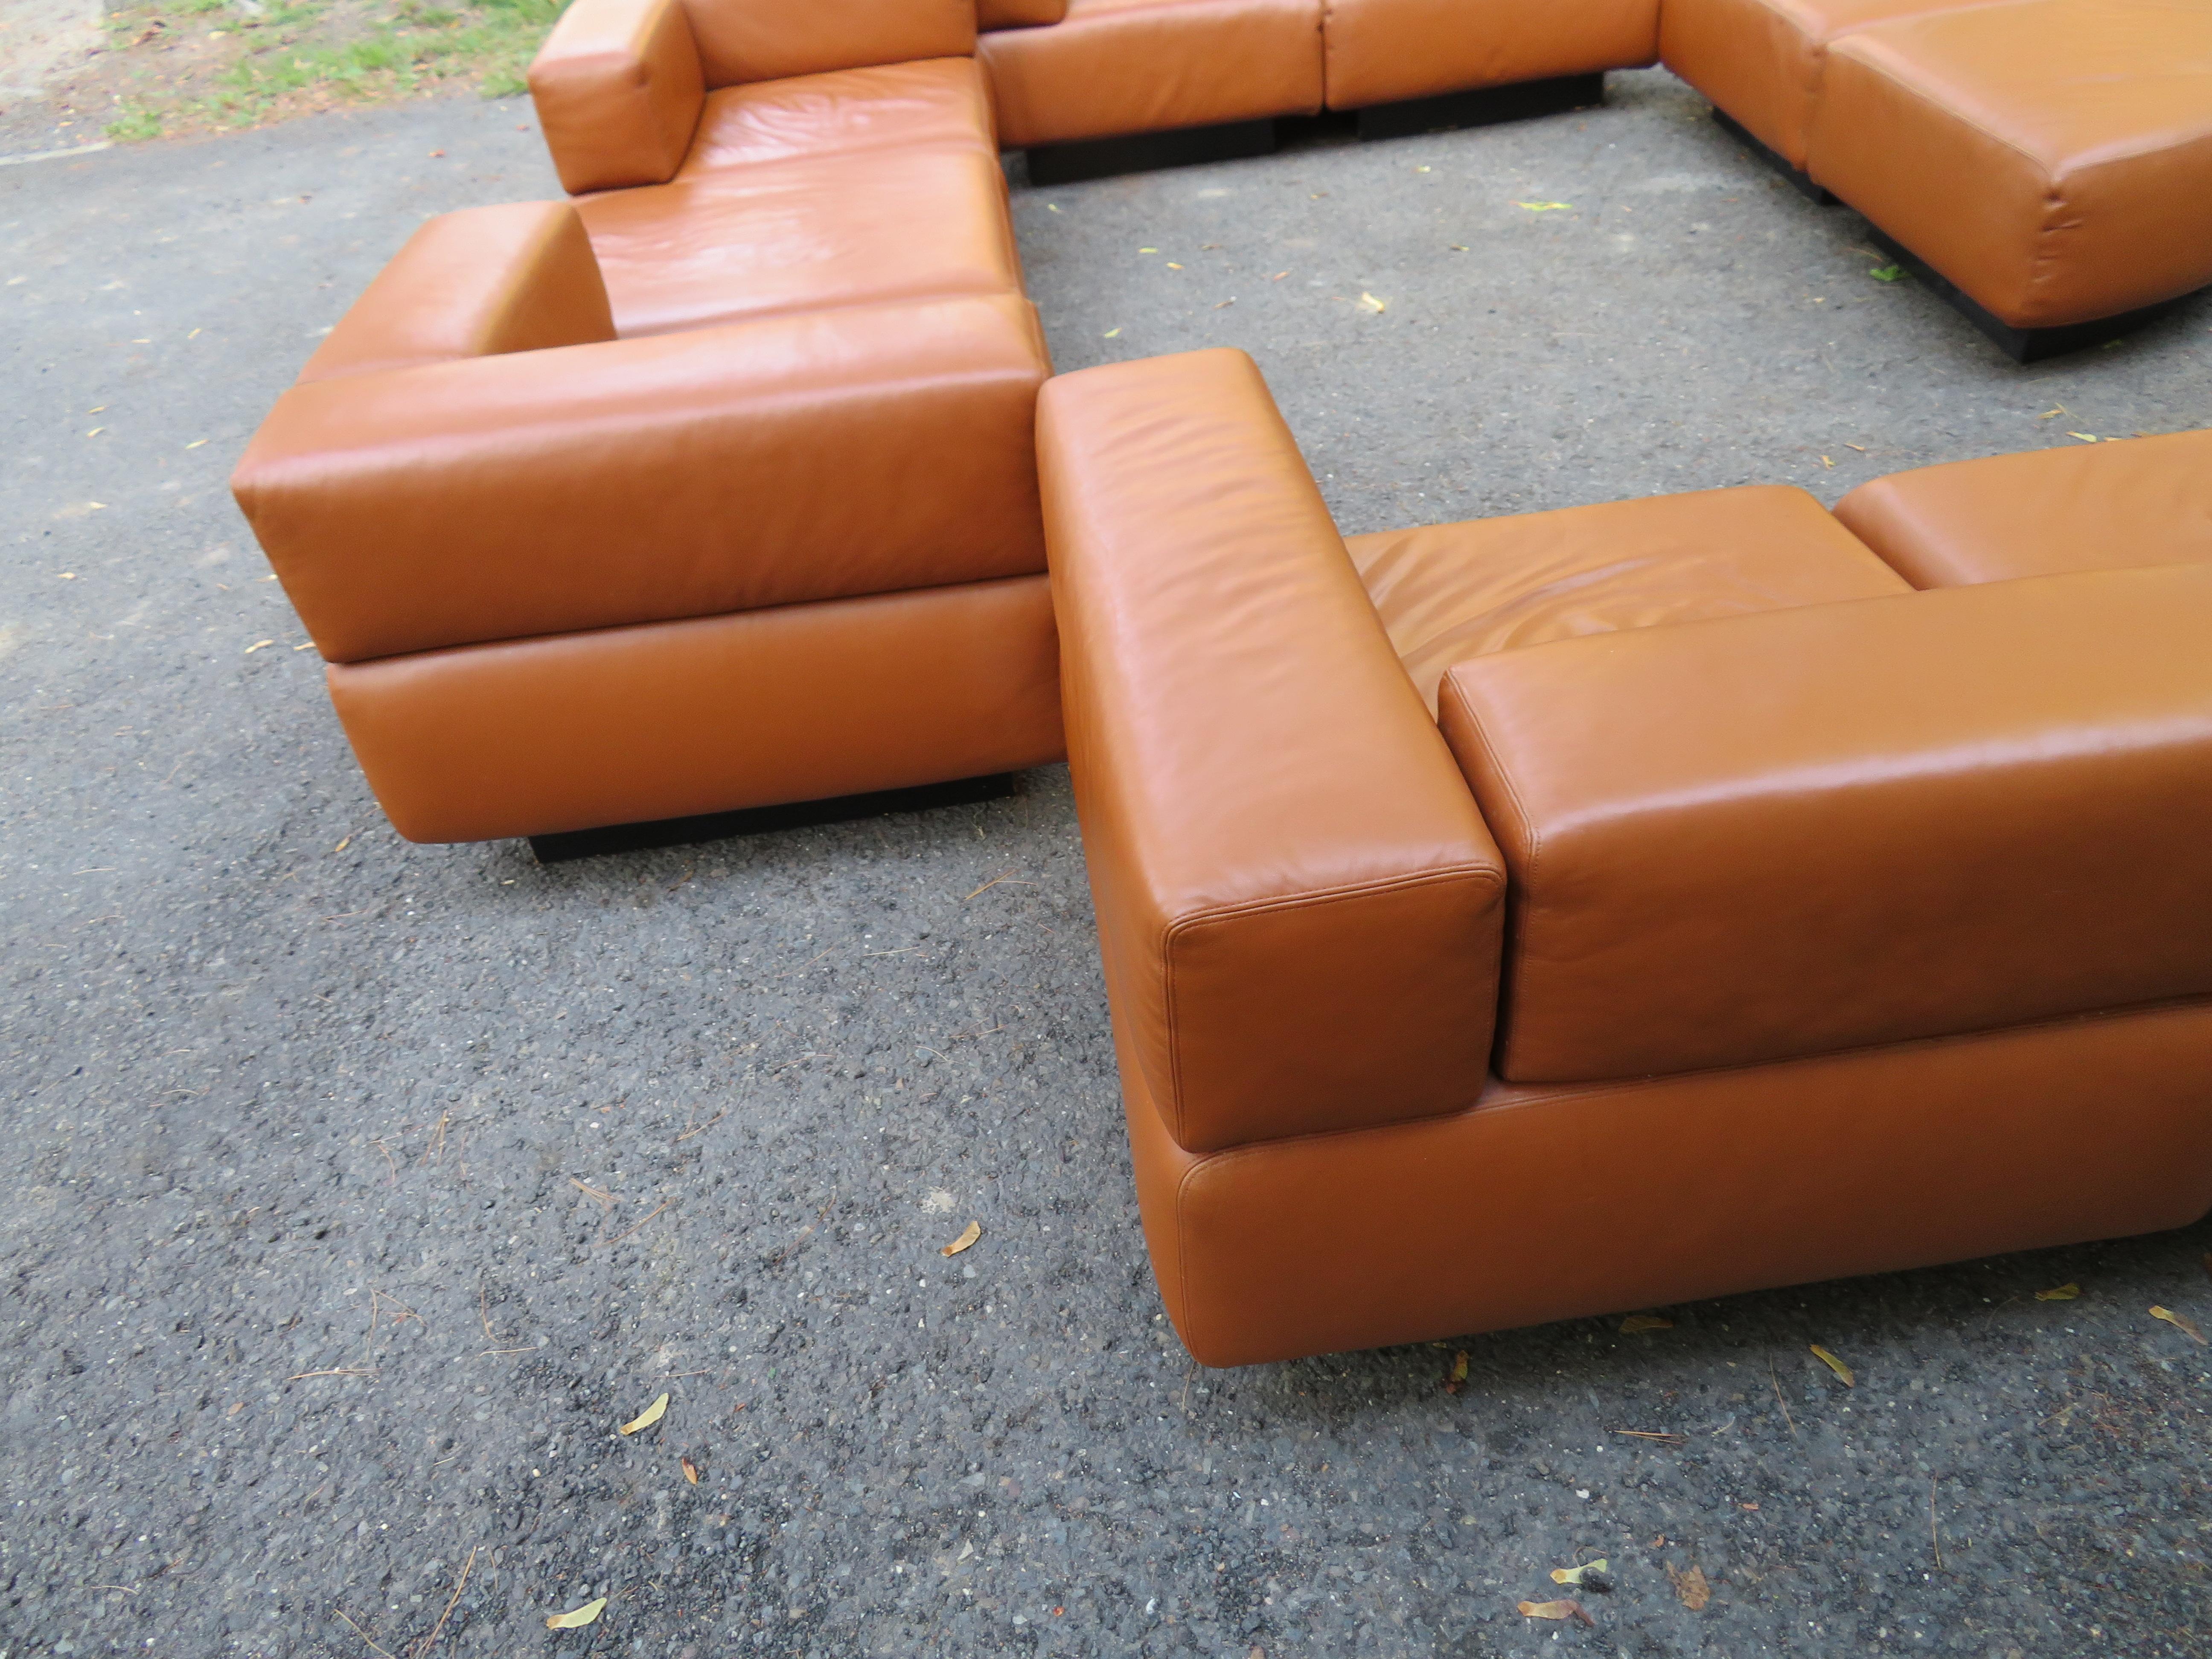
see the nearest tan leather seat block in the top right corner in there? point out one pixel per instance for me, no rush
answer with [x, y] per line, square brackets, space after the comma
[2052, 158]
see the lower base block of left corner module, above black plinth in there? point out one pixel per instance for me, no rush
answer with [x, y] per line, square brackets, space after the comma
[680, 718]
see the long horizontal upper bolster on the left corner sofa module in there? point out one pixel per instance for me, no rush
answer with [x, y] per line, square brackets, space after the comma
[766, 463]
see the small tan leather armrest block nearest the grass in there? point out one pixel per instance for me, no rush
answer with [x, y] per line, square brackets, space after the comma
[618, 92]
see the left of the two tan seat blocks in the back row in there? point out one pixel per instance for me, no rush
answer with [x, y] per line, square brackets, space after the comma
[1154, 65]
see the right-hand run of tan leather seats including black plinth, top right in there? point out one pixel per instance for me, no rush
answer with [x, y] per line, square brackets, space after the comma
[2045, 163]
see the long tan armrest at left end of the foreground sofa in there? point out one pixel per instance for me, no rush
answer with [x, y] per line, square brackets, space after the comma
[1297, 901]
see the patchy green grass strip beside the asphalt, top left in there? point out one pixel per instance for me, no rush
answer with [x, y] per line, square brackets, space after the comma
[225, 70]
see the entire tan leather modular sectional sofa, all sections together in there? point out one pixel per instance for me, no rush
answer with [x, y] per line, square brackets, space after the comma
[1503, 921]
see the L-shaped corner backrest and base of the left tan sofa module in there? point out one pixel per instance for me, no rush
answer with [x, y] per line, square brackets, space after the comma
[570, 578]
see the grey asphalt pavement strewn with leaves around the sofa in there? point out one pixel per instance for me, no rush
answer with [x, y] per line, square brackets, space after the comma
[355, 1193]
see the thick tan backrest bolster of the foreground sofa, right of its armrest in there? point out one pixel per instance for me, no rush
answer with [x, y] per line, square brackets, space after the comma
[1855, 824]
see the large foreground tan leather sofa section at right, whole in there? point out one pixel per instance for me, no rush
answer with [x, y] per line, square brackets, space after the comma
[1751, 917]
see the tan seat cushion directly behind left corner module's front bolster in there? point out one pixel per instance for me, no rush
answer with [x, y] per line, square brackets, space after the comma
[804, 238]
